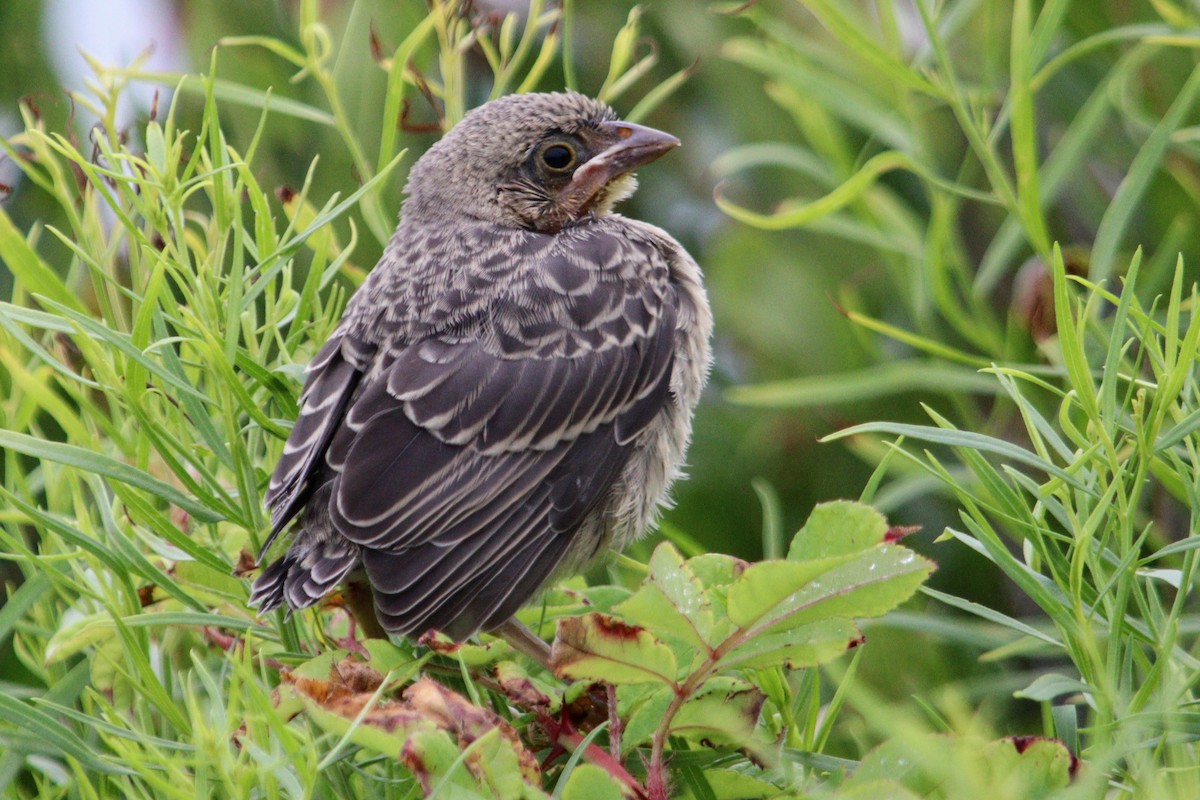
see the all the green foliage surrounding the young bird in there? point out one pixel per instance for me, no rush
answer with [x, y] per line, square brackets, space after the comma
[967, 181]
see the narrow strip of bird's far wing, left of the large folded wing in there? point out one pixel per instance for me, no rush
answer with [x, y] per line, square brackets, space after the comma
[334, 375]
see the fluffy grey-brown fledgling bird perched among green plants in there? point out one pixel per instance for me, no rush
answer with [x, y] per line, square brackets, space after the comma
[511, 392]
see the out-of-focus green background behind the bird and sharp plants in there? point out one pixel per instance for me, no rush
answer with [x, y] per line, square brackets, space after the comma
[779, 106]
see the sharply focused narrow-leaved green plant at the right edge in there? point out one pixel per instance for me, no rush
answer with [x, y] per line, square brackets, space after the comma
[1079, 501]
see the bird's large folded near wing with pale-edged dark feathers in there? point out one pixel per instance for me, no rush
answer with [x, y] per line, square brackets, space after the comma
[465, 467]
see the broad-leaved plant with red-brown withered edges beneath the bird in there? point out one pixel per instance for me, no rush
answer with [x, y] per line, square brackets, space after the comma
[703, 655]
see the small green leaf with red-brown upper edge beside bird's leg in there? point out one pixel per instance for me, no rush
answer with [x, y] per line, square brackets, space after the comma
[602, 648]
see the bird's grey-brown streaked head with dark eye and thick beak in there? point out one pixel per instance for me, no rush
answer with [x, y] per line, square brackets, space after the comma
[535, 161]
